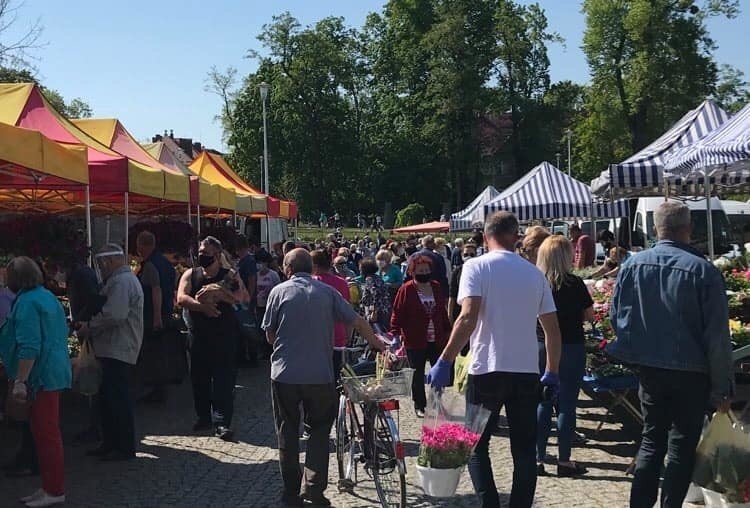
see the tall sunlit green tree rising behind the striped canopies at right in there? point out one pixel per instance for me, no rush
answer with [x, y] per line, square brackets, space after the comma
[650, 62]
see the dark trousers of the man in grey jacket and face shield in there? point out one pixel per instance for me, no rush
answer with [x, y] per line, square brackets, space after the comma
[116, 406]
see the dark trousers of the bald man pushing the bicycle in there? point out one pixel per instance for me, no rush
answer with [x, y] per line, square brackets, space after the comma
[319, 405]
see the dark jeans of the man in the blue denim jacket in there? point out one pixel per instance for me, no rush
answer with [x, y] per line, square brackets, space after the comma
[674, 404]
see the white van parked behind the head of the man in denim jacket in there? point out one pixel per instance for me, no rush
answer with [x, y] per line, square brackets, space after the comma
[644, 234]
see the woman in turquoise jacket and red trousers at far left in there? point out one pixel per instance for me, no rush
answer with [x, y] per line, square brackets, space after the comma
[34, 350]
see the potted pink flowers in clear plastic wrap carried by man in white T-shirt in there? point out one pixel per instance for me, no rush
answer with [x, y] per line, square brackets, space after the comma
[451, 430]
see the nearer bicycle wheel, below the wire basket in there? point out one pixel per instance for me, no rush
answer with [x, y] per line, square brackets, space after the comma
[389, 470]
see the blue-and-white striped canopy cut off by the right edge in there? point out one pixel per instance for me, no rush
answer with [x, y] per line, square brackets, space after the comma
[725, 148]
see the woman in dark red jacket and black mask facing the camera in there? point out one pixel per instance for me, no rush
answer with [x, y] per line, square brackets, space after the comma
[420, 317]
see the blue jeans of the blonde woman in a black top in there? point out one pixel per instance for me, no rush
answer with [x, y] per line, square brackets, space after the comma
[572, 368]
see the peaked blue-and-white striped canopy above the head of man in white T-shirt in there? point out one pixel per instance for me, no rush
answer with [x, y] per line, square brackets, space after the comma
[545, 192]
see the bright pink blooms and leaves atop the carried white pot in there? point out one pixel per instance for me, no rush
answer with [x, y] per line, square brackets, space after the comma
[447, 446]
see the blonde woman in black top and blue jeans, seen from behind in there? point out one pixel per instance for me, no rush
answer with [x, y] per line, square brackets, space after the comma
[574, 307]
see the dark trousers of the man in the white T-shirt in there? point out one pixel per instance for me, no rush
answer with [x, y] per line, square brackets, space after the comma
[519, 393]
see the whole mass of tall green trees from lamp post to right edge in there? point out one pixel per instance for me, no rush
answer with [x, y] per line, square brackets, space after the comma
[431, 100]
